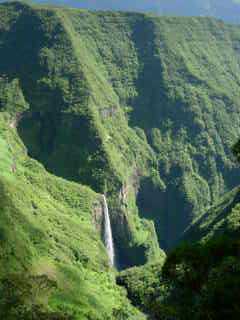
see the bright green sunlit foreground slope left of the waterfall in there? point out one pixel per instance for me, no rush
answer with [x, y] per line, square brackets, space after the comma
[50, 227]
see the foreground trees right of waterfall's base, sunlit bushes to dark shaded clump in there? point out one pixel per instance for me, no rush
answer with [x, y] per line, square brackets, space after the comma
[197, 281]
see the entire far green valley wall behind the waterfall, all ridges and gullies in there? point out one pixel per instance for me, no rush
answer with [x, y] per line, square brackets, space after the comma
[141, 108]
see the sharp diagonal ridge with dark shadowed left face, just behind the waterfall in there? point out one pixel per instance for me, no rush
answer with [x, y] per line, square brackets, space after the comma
[63, 126]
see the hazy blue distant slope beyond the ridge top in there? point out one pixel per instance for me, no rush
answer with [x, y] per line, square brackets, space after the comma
[225, 9]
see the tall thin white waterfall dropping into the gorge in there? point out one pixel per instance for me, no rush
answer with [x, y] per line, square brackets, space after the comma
[108, 239]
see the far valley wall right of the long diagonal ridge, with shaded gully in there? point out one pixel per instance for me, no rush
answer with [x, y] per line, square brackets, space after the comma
[180, 95]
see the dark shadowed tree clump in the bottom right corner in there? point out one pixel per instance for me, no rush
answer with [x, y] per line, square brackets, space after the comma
[205, 280]
